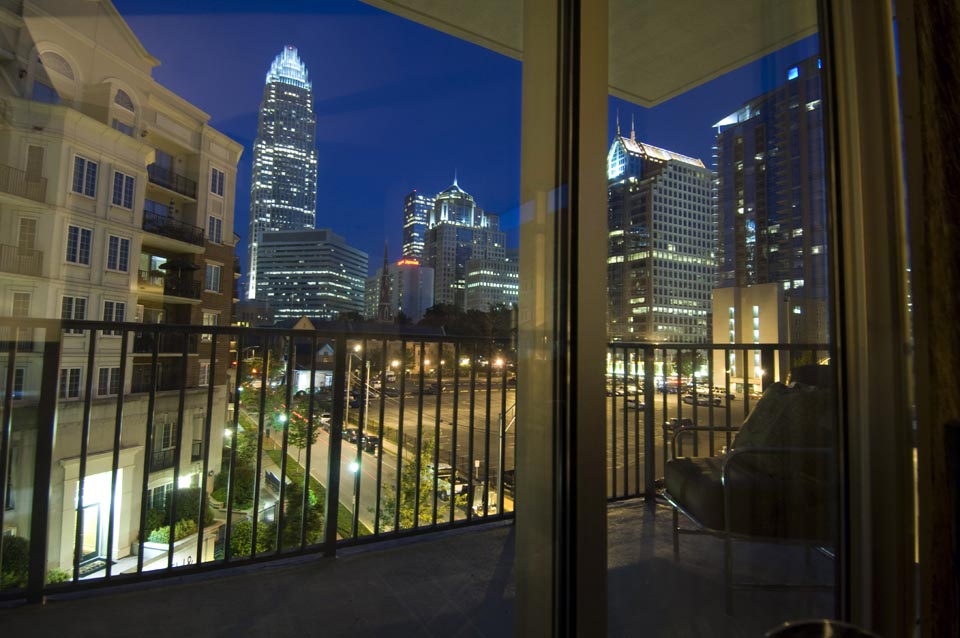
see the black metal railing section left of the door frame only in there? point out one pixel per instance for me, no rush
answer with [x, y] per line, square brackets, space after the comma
[354, 462]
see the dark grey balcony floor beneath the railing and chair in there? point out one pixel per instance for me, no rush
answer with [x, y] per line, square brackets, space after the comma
[459, 583]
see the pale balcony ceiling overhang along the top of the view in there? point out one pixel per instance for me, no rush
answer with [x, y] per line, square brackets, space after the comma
[658, 50]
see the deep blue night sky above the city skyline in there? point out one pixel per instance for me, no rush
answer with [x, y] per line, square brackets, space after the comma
[399, 106]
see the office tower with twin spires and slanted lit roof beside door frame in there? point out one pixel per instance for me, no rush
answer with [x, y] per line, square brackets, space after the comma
[661, 258]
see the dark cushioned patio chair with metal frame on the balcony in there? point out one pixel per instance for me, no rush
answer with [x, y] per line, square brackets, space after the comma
[775, 484]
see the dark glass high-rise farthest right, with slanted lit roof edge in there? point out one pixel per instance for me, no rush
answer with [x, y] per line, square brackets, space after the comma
[771, 209]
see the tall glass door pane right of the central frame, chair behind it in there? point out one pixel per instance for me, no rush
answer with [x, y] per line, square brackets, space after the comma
[719, 381]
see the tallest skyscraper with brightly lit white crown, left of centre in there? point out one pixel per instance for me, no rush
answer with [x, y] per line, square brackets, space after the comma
[283, 189]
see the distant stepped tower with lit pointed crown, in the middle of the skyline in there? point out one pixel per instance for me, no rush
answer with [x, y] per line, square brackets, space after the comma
[457, 231]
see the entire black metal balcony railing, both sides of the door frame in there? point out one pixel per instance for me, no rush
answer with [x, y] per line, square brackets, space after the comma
[394, 434]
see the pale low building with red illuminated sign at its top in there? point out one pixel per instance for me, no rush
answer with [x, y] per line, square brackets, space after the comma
[409, 288]
